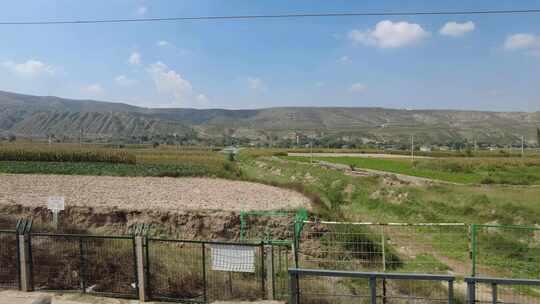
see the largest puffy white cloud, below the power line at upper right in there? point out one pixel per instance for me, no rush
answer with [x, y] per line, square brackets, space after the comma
[388, 34]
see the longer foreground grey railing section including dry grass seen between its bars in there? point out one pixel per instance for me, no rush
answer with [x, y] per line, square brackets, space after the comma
[319, 286]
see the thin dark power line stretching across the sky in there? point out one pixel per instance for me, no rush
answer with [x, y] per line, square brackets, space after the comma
[277, 16]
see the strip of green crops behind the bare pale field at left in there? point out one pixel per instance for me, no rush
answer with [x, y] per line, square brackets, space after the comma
[71, 159]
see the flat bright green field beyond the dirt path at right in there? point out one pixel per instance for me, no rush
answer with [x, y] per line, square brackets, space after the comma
[512, 171]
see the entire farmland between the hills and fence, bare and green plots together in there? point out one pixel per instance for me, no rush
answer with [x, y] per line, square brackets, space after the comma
[106, 195]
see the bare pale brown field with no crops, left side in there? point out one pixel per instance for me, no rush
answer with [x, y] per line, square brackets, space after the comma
[143, 193]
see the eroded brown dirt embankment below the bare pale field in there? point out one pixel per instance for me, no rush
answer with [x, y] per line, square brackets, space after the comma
[188, 224]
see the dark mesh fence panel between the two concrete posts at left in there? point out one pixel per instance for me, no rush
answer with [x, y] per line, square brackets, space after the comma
[90, 264]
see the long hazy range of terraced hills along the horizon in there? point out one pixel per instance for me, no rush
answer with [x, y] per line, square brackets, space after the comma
[41, 116]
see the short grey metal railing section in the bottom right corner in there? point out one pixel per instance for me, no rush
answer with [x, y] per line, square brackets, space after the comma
[501, 290]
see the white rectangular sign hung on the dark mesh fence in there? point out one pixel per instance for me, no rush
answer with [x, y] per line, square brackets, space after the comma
[233, 258]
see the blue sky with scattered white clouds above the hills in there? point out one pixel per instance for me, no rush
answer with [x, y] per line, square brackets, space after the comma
[487, 62]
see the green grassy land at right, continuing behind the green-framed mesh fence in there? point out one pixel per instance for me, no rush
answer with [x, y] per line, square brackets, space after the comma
[377, 199]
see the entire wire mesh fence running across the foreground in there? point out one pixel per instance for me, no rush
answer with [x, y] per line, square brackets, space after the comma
[193, 270]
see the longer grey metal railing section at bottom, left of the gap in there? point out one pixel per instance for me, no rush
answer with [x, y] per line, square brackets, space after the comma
[373, 278]
